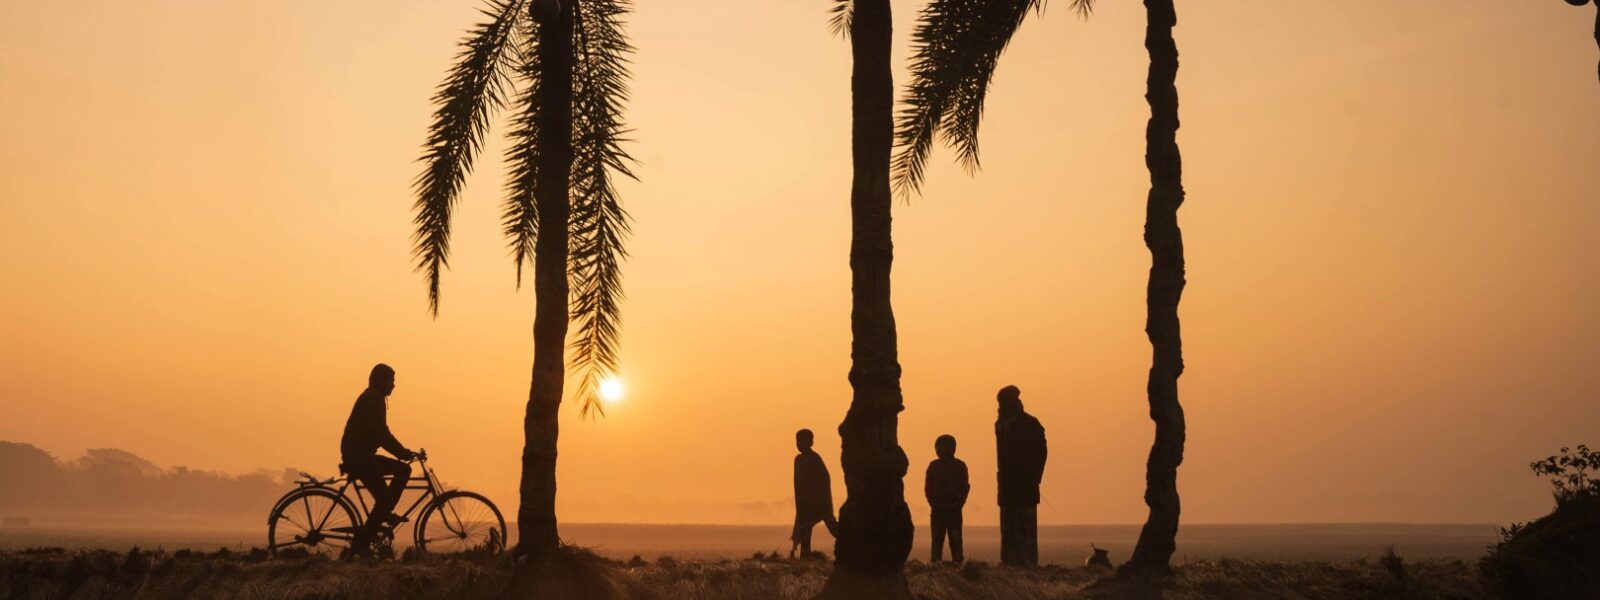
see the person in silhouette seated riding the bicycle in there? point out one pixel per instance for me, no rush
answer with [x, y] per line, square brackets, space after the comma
[366, 431]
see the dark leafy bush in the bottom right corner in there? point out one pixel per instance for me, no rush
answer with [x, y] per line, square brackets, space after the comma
[1559, 554]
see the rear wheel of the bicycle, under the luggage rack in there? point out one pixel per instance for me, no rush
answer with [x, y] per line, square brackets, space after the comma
[311, 522]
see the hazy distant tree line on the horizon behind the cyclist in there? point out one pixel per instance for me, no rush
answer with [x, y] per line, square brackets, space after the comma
[119, 482]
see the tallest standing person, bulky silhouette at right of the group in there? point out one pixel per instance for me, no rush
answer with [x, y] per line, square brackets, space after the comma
[1022, 454]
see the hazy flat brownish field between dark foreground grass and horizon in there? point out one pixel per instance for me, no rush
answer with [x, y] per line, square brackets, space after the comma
[1063, 545]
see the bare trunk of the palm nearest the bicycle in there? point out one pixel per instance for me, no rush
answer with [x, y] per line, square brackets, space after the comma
[537, 514]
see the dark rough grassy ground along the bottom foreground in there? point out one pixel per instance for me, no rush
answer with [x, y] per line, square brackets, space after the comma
[191, 575]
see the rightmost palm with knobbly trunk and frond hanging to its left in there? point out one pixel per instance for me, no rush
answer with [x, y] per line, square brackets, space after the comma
[959, 42]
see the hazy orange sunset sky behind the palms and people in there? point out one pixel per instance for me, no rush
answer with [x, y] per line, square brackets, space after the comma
[206, 222]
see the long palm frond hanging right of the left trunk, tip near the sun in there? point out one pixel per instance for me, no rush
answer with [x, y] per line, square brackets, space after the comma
[599, 225]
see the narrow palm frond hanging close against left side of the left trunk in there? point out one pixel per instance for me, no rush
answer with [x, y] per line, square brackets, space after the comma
[521, 214]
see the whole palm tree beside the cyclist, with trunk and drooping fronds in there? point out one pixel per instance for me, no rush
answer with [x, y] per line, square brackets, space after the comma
[562, 65]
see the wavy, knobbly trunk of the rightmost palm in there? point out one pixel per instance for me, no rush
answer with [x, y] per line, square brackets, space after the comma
[1159, 538]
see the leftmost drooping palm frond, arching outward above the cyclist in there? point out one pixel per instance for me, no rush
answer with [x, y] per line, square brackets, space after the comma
[466, 102]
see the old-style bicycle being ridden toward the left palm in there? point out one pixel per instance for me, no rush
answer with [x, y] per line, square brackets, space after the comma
[319, 519]
